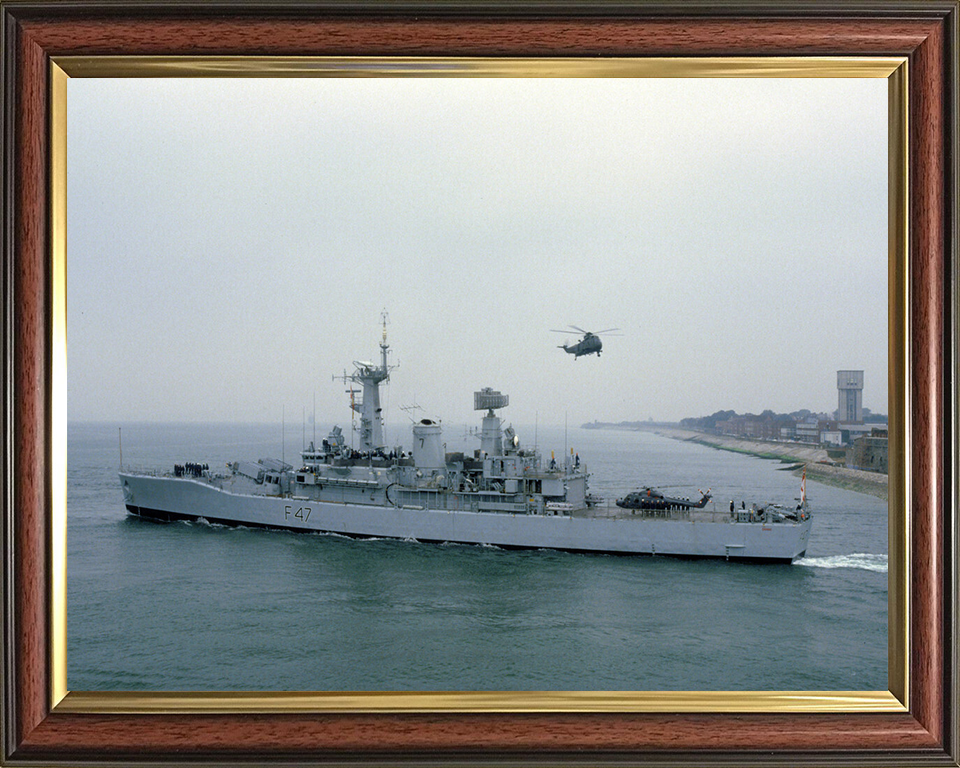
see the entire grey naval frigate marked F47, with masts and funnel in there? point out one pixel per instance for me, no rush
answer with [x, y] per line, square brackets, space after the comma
[503, 494]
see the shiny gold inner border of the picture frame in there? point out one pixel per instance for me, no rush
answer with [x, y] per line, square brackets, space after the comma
[895, 699]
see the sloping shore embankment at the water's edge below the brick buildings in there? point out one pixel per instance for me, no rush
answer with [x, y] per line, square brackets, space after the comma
[818, 464]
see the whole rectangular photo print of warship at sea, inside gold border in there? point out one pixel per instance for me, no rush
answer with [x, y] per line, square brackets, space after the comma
[477, 384]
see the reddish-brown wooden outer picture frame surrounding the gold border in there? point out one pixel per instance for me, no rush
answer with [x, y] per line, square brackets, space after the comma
[38, 731]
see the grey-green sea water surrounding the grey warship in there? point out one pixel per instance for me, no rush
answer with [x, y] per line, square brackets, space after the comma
[190, 606]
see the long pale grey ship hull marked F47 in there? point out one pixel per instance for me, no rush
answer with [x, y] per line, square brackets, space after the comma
[168, 499]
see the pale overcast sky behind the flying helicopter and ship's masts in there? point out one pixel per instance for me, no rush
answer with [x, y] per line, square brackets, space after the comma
[232, 243]
